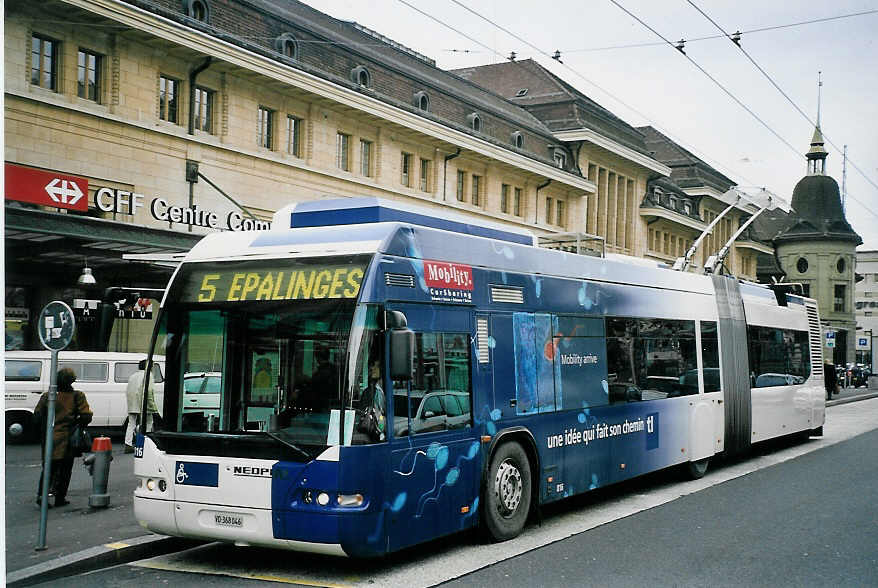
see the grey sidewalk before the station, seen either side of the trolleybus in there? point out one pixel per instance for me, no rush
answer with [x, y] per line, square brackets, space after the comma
[80, 539]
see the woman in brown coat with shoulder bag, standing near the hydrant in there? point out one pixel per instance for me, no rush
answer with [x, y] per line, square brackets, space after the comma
[71, 409]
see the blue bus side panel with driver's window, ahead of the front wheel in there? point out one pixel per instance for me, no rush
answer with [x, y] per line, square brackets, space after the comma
[434, 466]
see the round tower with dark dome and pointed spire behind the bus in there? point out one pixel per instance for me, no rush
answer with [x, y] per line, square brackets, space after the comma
[818, 249]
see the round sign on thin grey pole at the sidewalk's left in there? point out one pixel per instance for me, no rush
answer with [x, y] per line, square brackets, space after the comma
[55, 327]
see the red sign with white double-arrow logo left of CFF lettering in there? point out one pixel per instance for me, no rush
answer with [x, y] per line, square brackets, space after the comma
[26, 184]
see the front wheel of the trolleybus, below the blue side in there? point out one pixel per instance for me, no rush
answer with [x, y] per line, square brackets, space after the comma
[507, 492]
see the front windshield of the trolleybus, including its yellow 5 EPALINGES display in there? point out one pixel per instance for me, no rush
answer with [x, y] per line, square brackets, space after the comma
[293, 364]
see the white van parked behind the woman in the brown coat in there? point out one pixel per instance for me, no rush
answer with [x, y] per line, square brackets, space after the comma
[103, 378]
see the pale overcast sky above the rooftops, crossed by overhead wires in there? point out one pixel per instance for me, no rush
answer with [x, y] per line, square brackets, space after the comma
[654, 84]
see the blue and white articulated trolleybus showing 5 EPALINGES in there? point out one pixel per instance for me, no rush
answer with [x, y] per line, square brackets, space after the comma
[383, 378]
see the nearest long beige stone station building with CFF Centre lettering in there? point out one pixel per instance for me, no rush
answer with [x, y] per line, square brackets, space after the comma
[133, 127]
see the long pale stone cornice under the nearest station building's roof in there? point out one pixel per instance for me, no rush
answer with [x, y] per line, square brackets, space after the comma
[178, 34]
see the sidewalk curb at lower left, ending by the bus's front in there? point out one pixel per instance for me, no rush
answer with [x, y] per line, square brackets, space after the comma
[99, 557]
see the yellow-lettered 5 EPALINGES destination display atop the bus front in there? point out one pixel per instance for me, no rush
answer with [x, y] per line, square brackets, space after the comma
[289, 281]
